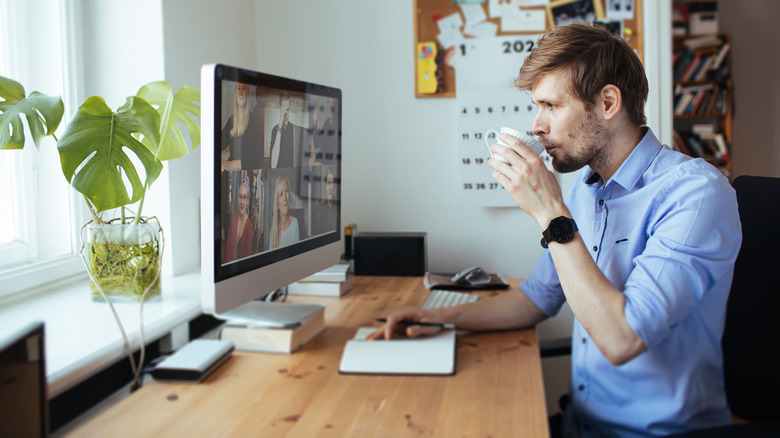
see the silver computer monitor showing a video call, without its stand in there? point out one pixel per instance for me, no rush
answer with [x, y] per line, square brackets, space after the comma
[270, 183]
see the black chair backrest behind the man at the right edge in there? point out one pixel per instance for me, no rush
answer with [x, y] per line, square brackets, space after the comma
[750, 341]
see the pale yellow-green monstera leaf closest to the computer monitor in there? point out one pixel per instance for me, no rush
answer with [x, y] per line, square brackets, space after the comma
[172, 109]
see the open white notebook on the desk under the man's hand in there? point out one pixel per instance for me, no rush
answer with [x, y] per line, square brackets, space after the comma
[430, 355]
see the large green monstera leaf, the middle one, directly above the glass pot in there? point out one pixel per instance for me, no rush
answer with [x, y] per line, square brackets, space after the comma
[94, 151]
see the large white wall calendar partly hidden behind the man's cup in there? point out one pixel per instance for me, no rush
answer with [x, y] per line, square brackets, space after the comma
[485, 69]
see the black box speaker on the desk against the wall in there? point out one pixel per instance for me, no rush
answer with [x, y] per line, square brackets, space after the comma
[390, 254]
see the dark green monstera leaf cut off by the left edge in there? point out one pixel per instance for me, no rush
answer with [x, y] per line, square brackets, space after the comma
[43, 114]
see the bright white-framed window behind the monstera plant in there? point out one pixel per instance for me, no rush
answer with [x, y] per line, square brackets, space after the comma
[38, 240]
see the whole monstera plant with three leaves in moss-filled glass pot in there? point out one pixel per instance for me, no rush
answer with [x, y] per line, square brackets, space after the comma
[112, 158]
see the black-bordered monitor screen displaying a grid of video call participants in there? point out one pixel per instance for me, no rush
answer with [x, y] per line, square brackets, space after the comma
[279, 145]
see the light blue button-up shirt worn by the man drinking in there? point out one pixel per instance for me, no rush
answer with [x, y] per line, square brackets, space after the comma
[664, 230]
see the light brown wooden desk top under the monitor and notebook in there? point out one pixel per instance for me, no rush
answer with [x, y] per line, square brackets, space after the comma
[497, 390]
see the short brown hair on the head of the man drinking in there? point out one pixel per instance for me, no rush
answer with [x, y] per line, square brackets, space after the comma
[594, 58]
